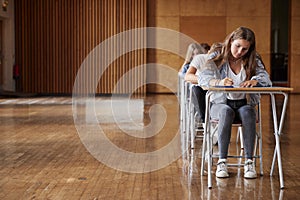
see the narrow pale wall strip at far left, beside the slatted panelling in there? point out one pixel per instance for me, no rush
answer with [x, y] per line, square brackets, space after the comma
[8, 45]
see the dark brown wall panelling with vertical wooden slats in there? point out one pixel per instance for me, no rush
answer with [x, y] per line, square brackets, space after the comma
[54, 37]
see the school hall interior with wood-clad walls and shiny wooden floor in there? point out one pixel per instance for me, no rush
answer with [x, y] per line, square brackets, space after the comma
[92, 104]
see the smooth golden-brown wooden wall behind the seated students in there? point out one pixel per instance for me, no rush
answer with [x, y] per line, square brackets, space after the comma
[210, 21]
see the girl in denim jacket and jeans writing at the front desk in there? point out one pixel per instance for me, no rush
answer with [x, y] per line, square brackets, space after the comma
[239, 65]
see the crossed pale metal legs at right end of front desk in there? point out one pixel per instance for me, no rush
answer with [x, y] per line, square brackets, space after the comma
[277, 132]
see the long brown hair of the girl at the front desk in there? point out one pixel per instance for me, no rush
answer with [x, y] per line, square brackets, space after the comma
[248, 59]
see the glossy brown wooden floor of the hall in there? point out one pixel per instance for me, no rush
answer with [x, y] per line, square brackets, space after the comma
[42, 156]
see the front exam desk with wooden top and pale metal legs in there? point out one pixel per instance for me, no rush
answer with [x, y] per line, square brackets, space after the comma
[272, 91]
